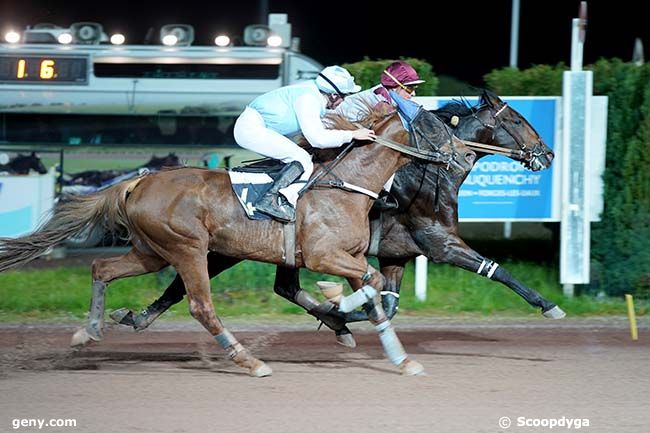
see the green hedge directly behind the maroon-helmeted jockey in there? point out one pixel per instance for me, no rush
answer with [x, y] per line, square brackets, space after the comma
[367, 73]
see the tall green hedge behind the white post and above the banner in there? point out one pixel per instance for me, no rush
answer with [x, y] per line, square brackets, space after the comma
[621, 241]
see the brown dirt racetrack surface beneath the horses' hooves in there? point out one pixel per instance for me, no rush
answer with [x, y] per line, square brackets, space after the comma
[174, 378]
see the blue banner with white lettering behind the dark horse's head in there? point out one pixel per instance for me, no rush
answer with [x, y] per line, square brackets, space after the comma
[499, 188]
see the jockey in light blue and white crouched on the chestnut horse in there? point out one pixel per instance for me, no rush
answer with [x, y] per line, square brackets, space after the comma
[268, 121]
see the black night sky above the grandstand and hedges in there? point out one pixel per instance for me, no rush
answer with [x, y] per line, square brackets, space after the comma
[465, 43]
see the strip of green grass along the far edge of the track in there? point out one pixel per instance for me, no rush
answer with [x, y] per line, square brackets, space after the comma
[246, 289]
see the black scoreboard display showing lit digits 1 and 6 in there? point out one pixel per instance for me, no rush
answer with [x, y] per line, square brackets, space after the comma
[43, 69]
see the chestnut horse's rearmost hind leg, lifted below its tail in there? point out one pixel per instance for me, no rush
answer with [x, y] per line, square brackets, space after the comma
[104, 271]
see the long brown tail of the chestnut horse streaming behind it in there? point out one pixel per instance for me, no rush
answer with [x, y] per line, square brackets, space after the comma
[70, 217]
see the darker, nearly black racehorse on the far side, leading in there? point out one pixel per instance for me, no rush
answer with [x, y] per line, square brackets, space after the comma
[426, 221]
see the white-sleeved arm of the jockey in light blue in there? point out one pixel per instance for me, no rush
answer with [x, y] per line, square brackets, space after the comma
[308, 113]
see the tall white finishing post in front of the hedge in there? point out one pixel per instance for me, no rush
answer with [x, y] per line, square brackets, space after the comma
[576, 136]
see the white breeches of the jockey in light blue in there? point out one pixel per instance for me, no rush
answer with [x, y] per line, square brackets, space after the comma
[251, 133]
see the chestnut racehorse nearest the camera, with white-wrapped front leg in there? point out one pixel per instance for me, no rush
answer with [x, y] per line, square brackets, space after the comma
[176, 217]
